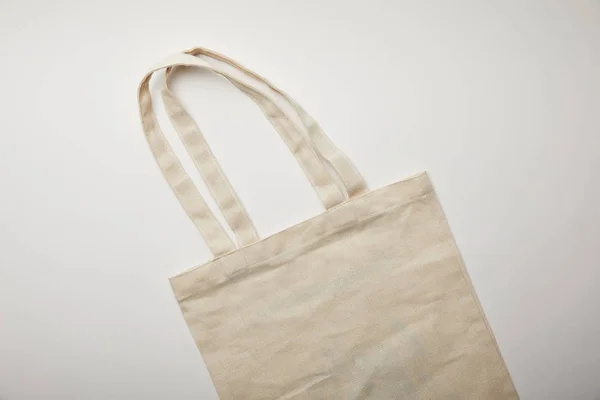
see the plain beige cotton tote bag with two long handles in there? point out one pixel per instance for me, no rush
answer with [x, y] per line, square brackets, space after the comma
[368, 300]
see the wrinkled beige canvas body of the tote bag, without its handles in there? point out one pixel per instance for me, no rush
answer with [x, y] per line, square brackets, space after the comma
[367, 301]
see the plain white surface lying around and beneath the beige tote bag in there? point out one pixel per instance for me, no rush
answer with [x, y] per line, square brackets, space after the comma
[498, 100]
